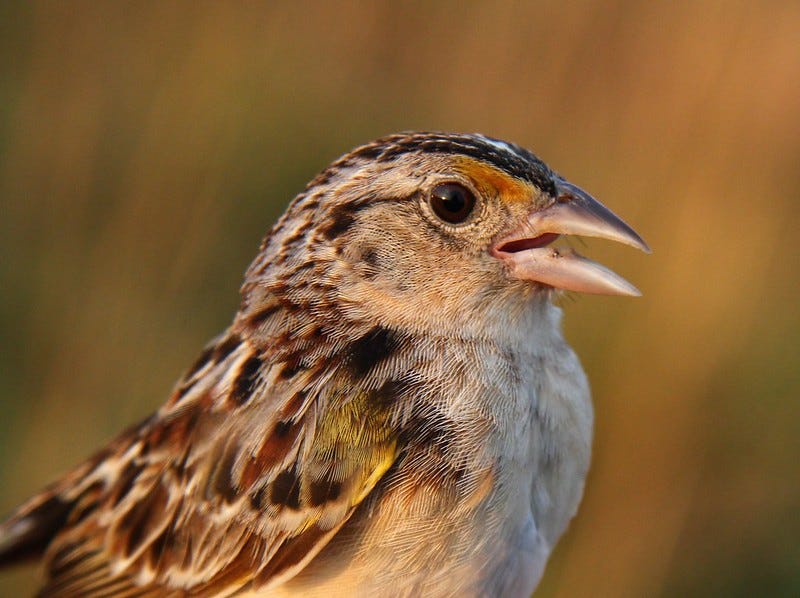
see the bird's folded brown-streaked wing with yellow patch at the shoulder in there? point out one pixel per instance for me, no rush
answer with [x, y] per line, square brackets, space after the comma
[240, 480]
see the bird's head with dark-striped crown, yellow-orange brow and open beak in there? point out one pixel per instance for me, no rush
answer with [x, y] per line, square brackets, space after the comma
[431, 230]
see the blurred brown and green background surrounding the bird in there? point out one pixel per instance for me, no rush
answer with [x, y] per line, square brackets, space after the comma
[146, 148]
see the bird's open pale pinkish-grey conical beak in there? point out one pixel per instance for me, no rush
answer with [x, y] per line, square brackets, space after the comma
[574, 212]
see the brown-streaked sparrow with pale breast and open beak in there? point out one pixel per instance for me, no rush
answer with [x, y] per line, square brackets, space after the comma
[393, 411]
